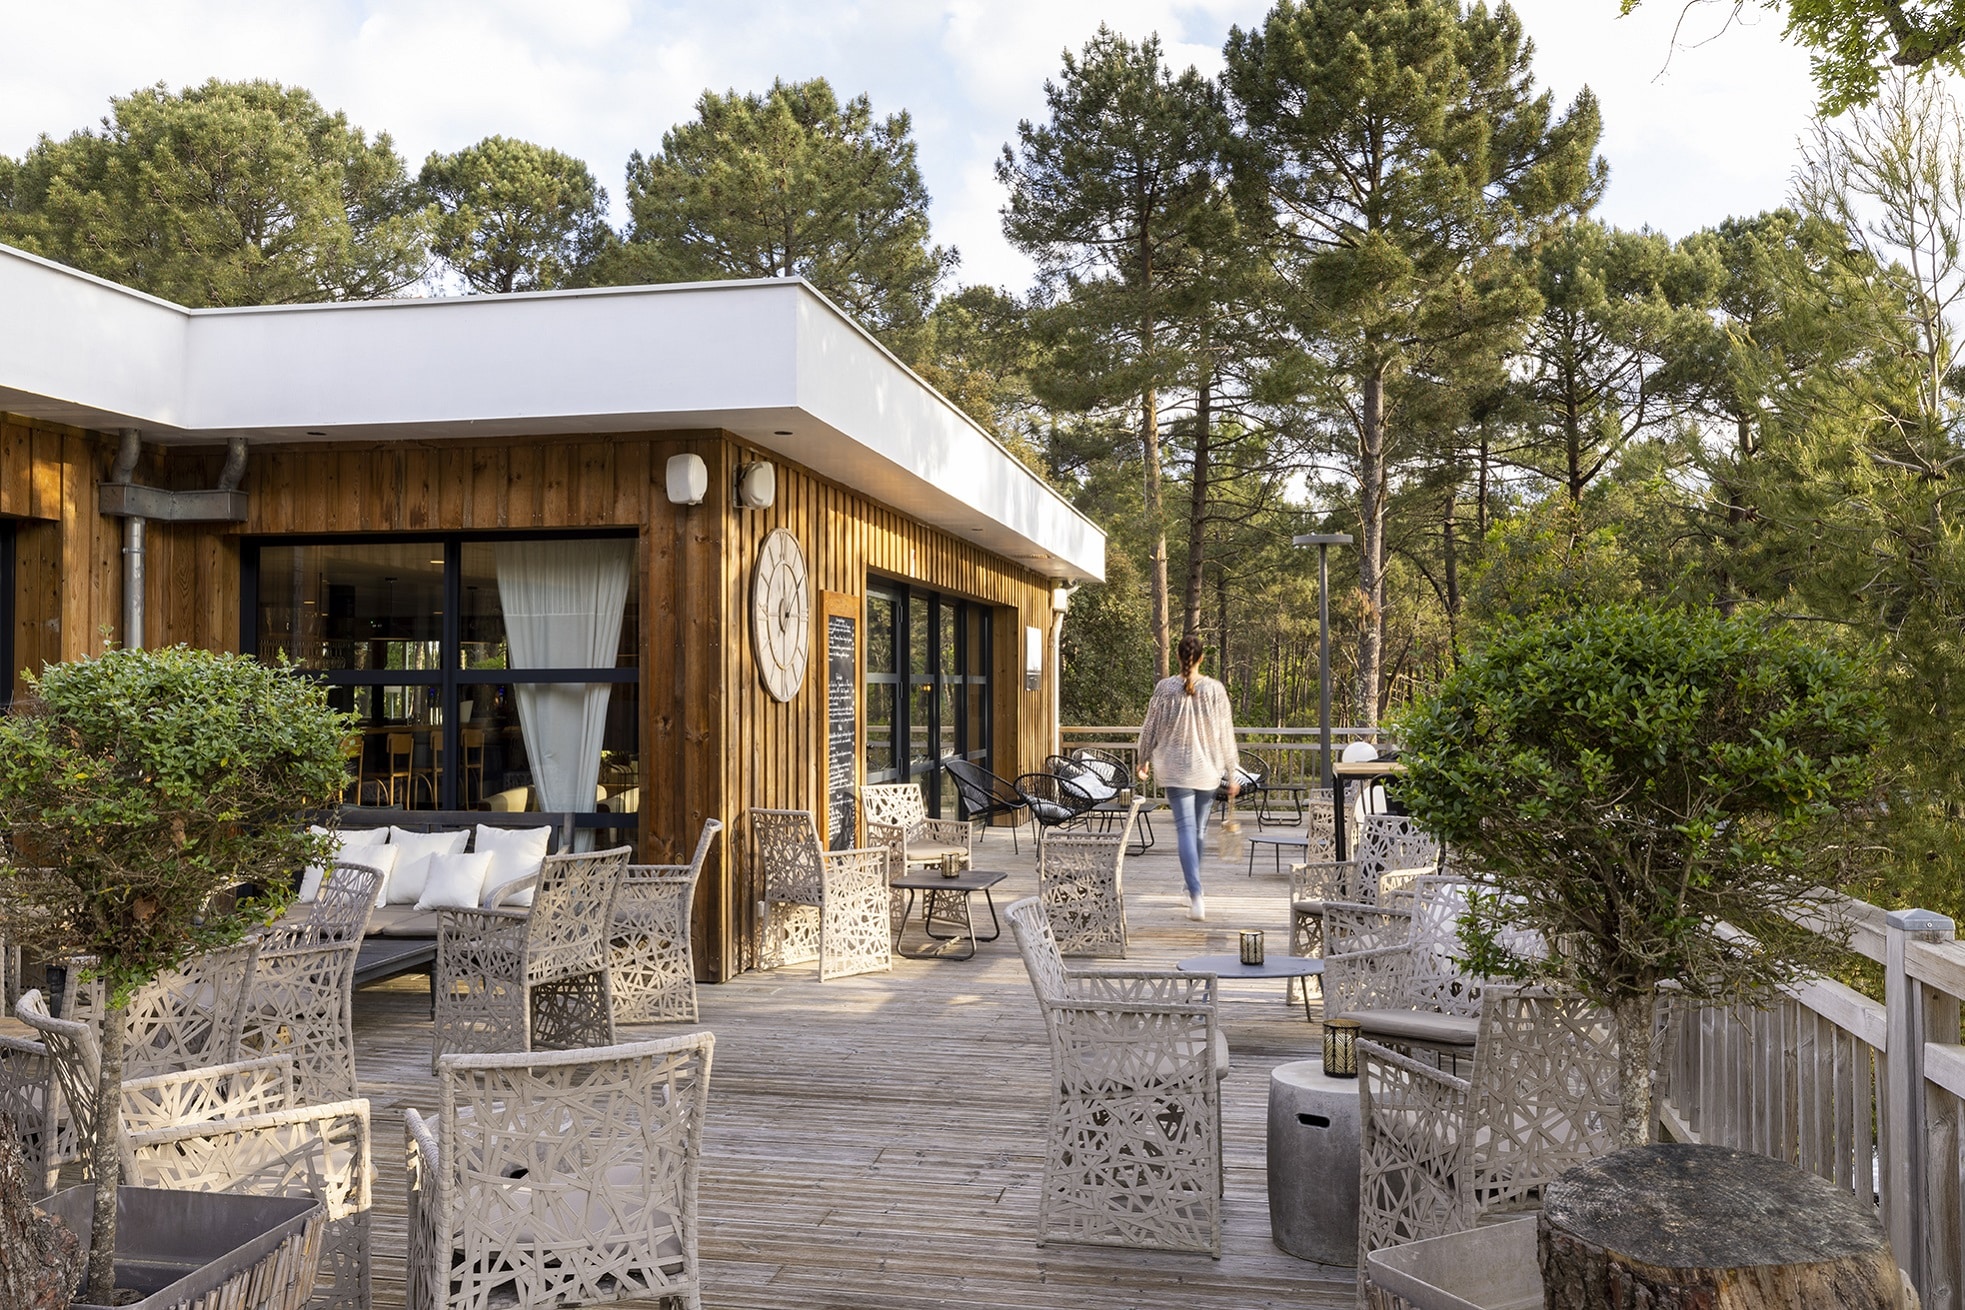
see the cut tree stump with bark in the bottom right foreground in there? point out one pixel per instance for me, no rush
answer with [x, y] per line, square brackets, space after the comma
[1683, 1227]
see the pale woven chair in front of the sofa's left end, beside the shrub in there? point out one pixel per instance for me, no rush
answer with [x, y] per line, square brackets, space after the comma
[300, 999]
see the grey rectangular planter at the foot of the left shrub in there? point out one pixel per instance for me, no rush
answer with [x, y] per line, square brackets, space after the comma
[176, 1248]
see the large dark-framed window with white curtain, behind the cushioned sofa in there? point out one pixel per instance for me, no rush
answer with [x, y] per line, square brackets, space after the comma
[486, 673]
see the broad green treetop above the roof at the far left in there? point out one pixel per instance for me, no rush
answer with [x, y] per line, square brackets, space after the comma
[227, 193]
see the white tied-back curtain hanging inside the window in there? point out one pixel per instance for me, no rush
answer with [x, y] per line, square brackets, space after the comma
[563, 610]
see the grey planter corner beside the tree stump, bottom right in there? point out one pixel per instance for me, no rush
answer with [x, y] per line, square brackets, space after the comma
[1481, 1270]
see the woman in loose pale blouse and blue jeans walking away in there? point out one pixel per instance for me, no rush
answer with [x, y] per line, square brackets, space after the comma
[1190, 741]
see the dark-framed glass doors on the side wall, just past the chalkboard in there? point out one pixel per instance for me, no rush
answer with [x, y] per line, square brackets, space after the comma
[926, 688]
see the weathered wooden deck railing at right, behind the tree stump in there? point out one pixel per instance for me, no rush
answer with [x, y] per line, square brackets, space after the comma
[1868, 1095]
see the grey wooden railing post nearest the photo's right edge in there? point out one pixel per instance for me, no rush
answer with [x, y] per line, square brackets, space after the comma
[1909, 1024]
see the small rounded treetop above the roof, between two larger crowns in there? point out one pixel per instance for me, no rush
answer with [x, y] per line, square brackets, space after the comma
[516, 217]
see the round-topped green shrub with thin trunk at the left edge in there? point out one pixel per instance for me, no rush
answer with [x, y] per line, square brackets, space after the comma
[137, 791]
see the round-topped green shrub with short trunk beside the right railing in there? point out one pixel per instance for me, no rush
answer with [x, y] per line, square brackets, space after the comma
[1628, 779]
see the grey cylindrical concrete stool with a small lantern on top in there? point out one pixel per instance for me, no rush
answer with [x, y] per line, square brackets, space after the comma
[1314, 1164]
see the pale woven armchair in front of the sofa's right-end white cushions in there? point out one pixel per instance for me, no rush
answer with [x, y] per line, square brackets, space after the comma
[528, 979]
